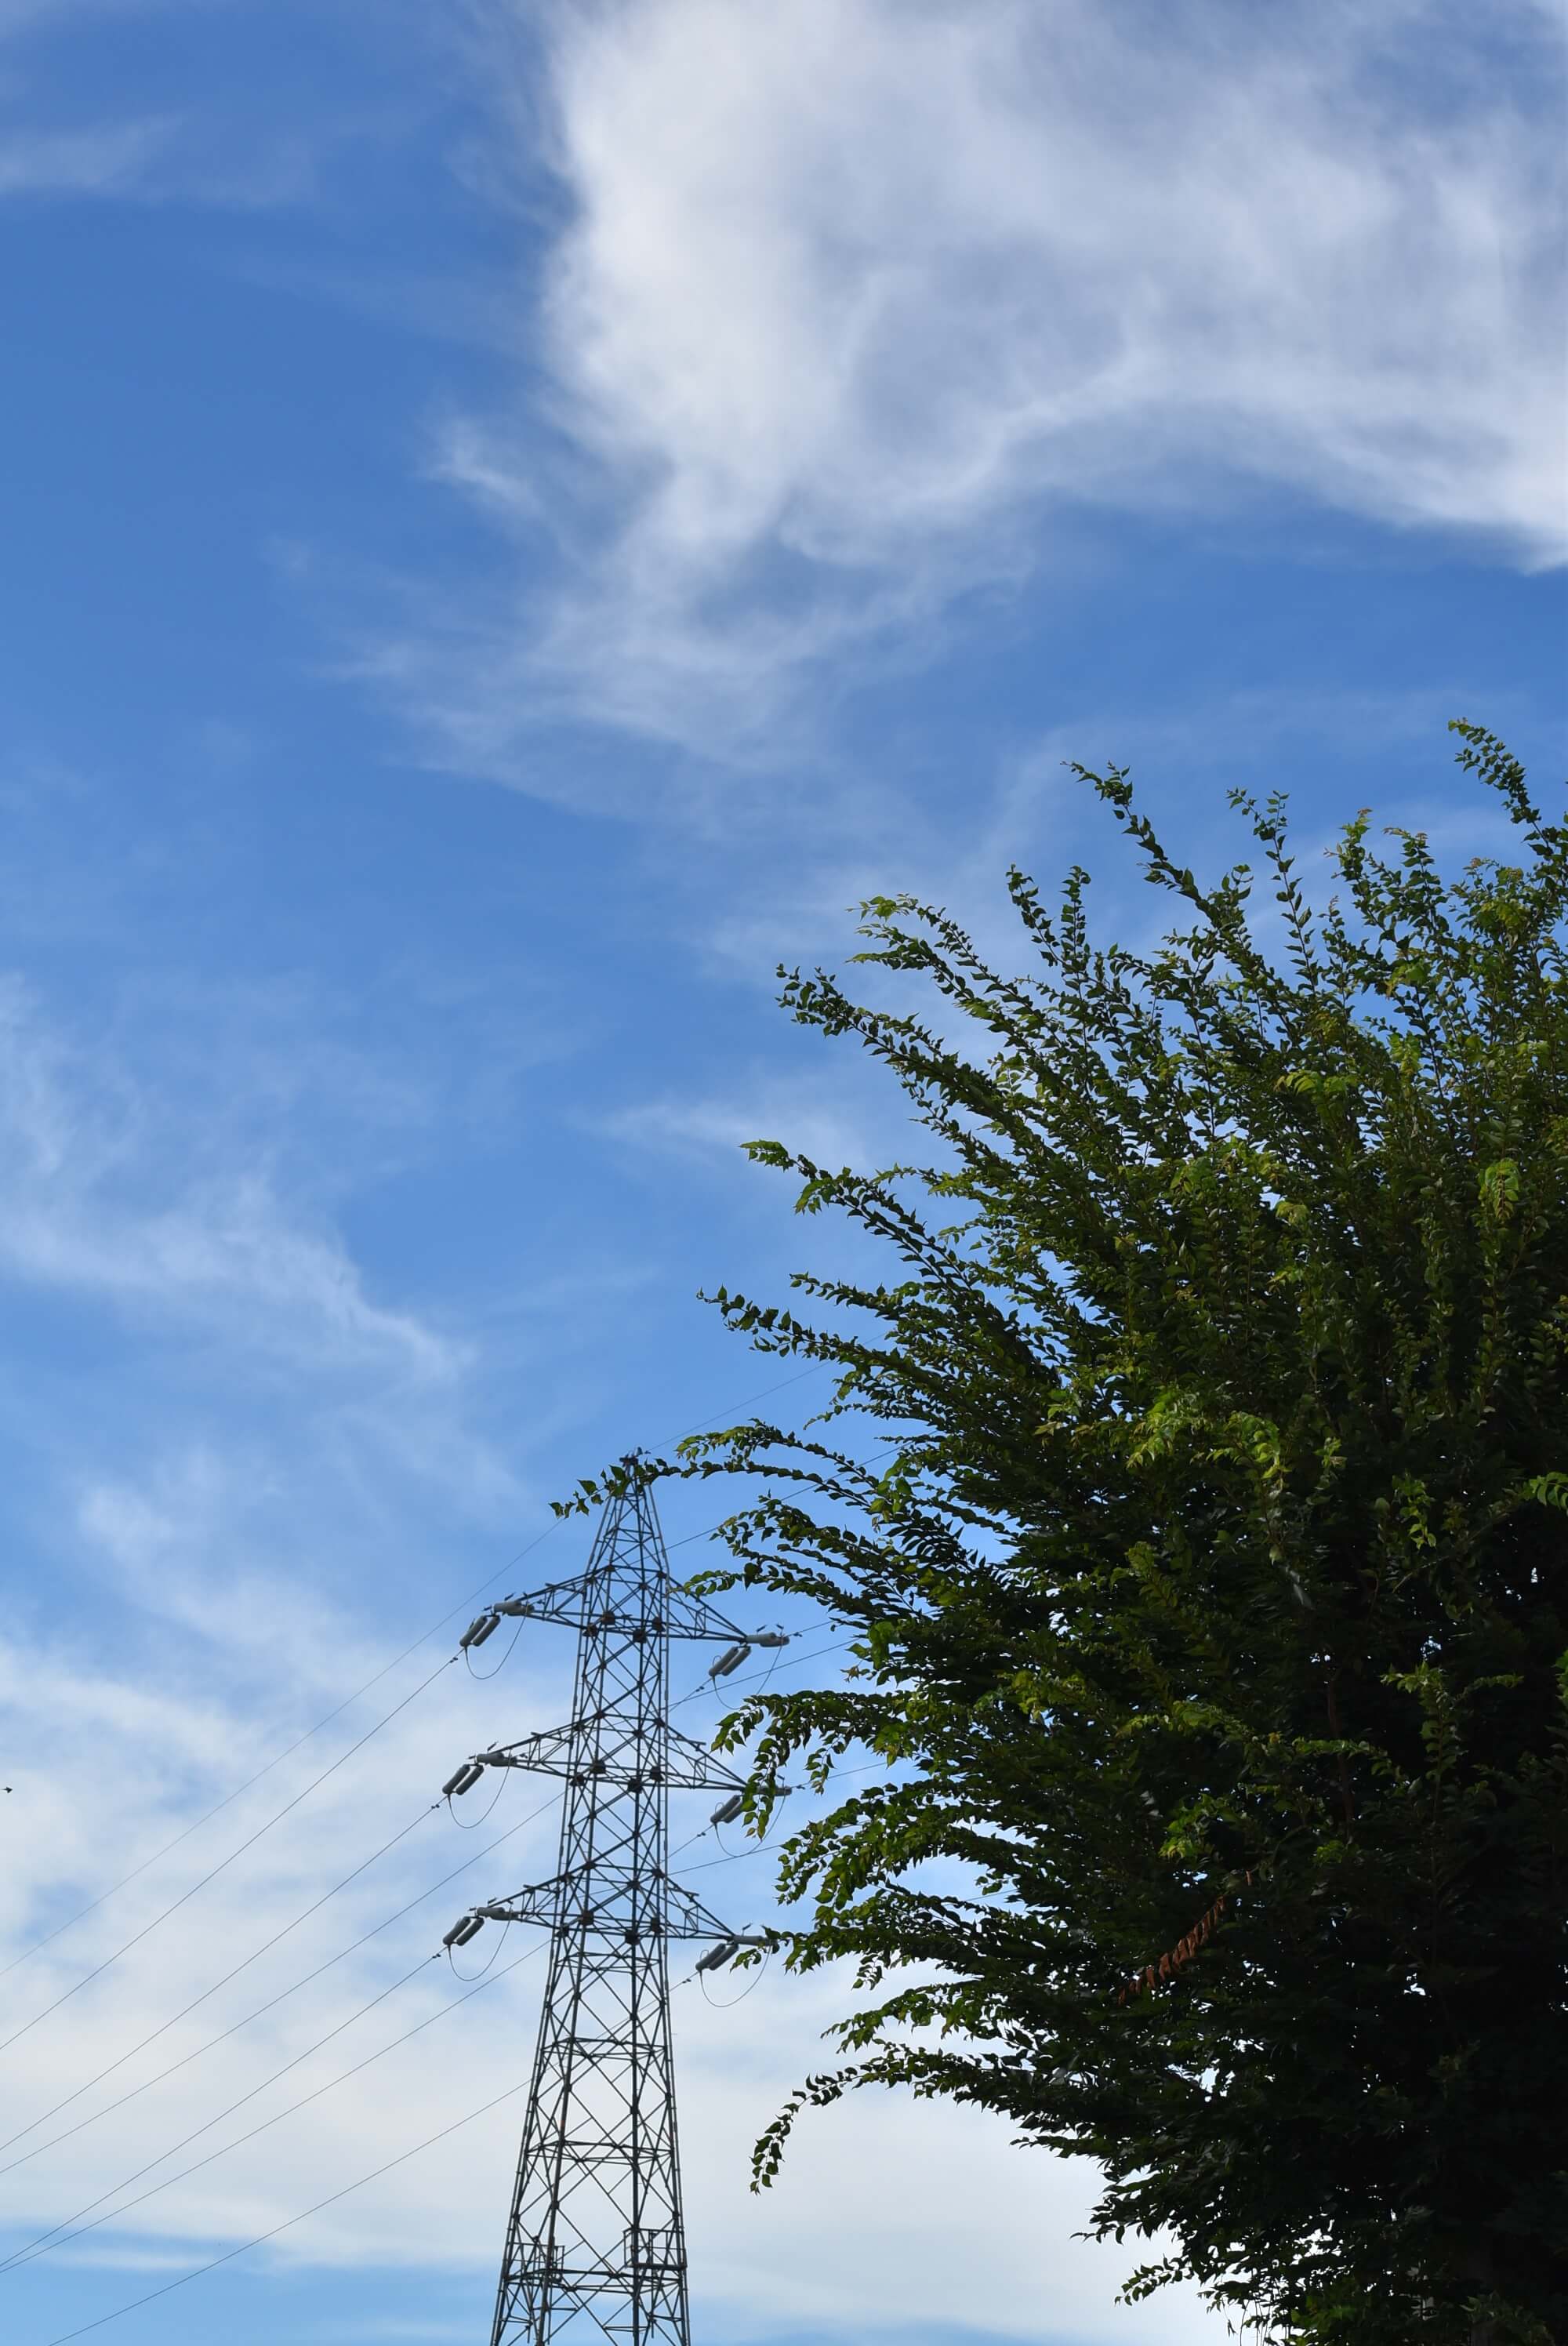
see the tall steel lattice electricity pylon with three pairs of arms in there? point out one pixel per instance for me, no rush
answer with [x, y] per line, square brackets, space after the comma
[597, 2244]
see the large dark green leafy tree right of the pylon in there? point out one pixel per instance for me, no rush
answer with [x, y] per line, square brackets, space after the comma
[1212, 1601]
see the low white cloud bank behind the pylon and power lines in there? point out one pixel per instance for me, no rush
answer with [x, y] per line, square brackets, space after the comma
[888, 2218]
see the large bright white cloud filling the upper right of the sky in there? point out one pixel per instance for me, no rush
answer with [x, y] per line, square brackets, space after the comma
[858, 294]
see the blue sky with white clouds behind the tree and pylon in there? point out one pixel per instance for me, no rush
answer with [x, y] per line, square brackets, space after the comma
[515, 522]
